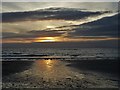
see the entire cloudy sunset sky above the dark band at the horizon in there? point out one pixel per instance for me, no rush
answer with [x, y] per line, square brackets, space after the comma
[30, 22]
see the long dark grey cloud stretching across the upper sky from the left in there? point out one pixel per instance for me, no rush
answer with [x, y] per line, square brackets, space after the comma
[48, 14]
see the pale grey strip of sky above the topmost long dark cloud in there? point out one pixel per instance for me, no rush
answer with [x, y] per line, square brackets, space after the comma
[22, 6]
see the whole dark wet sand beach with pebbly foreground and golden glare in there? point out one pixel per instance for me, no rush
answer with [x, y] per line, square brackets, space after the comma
[60, 74]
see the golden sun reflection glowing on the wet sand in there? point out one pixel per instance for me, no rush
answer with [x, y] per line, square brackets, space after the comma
[53, 69]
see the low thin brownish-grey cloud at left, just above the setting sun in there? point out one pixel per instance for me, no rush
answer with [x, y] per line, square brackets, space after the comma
[32, 34]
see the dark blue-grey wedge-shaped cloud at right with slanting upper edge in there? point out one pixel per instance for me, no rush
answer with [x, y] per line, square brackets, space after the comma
[107, 26]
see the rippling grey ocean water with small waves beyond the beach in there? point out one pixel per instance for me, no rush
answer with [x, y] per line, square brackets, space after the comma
[58, 53]
